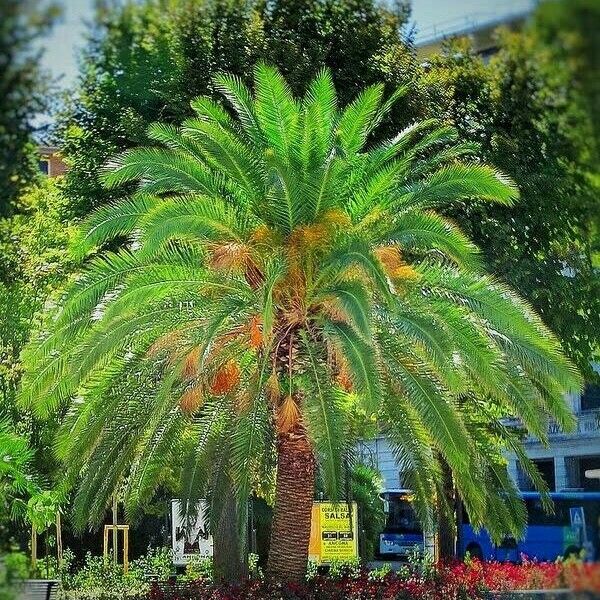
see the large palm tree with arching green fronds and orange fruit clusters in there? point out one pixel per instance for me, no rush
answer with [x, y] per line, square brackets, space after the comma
[278, 274]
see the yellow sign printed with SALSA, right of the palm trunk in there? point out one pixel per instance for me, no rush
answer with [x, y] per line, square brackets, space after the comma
[334, 532]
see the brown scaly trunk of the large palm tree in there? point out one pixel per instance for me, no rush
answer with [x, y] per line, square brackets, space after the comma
[294, 494]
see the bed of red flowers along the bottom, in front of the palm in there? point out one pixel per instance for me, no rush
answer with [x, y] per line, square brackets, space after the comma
[459, 581]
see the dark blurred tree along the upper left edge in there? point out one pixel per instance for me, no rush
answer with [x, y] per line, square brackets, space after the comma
[23, 89]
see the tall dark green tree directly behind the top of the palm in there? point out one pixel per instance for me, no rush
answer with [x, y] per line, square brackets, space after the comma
[147, 61]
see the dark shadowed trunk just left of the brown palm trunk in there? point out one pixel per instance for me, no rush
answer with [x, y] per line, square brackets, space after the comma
[230, 561]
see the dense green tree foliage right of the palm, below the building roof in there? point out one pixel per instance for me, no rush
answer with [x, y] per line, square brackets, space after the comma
[531, 122]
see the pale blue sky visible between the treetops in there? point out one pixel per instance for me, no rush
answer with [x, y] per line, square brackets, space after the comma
[63, 44]
